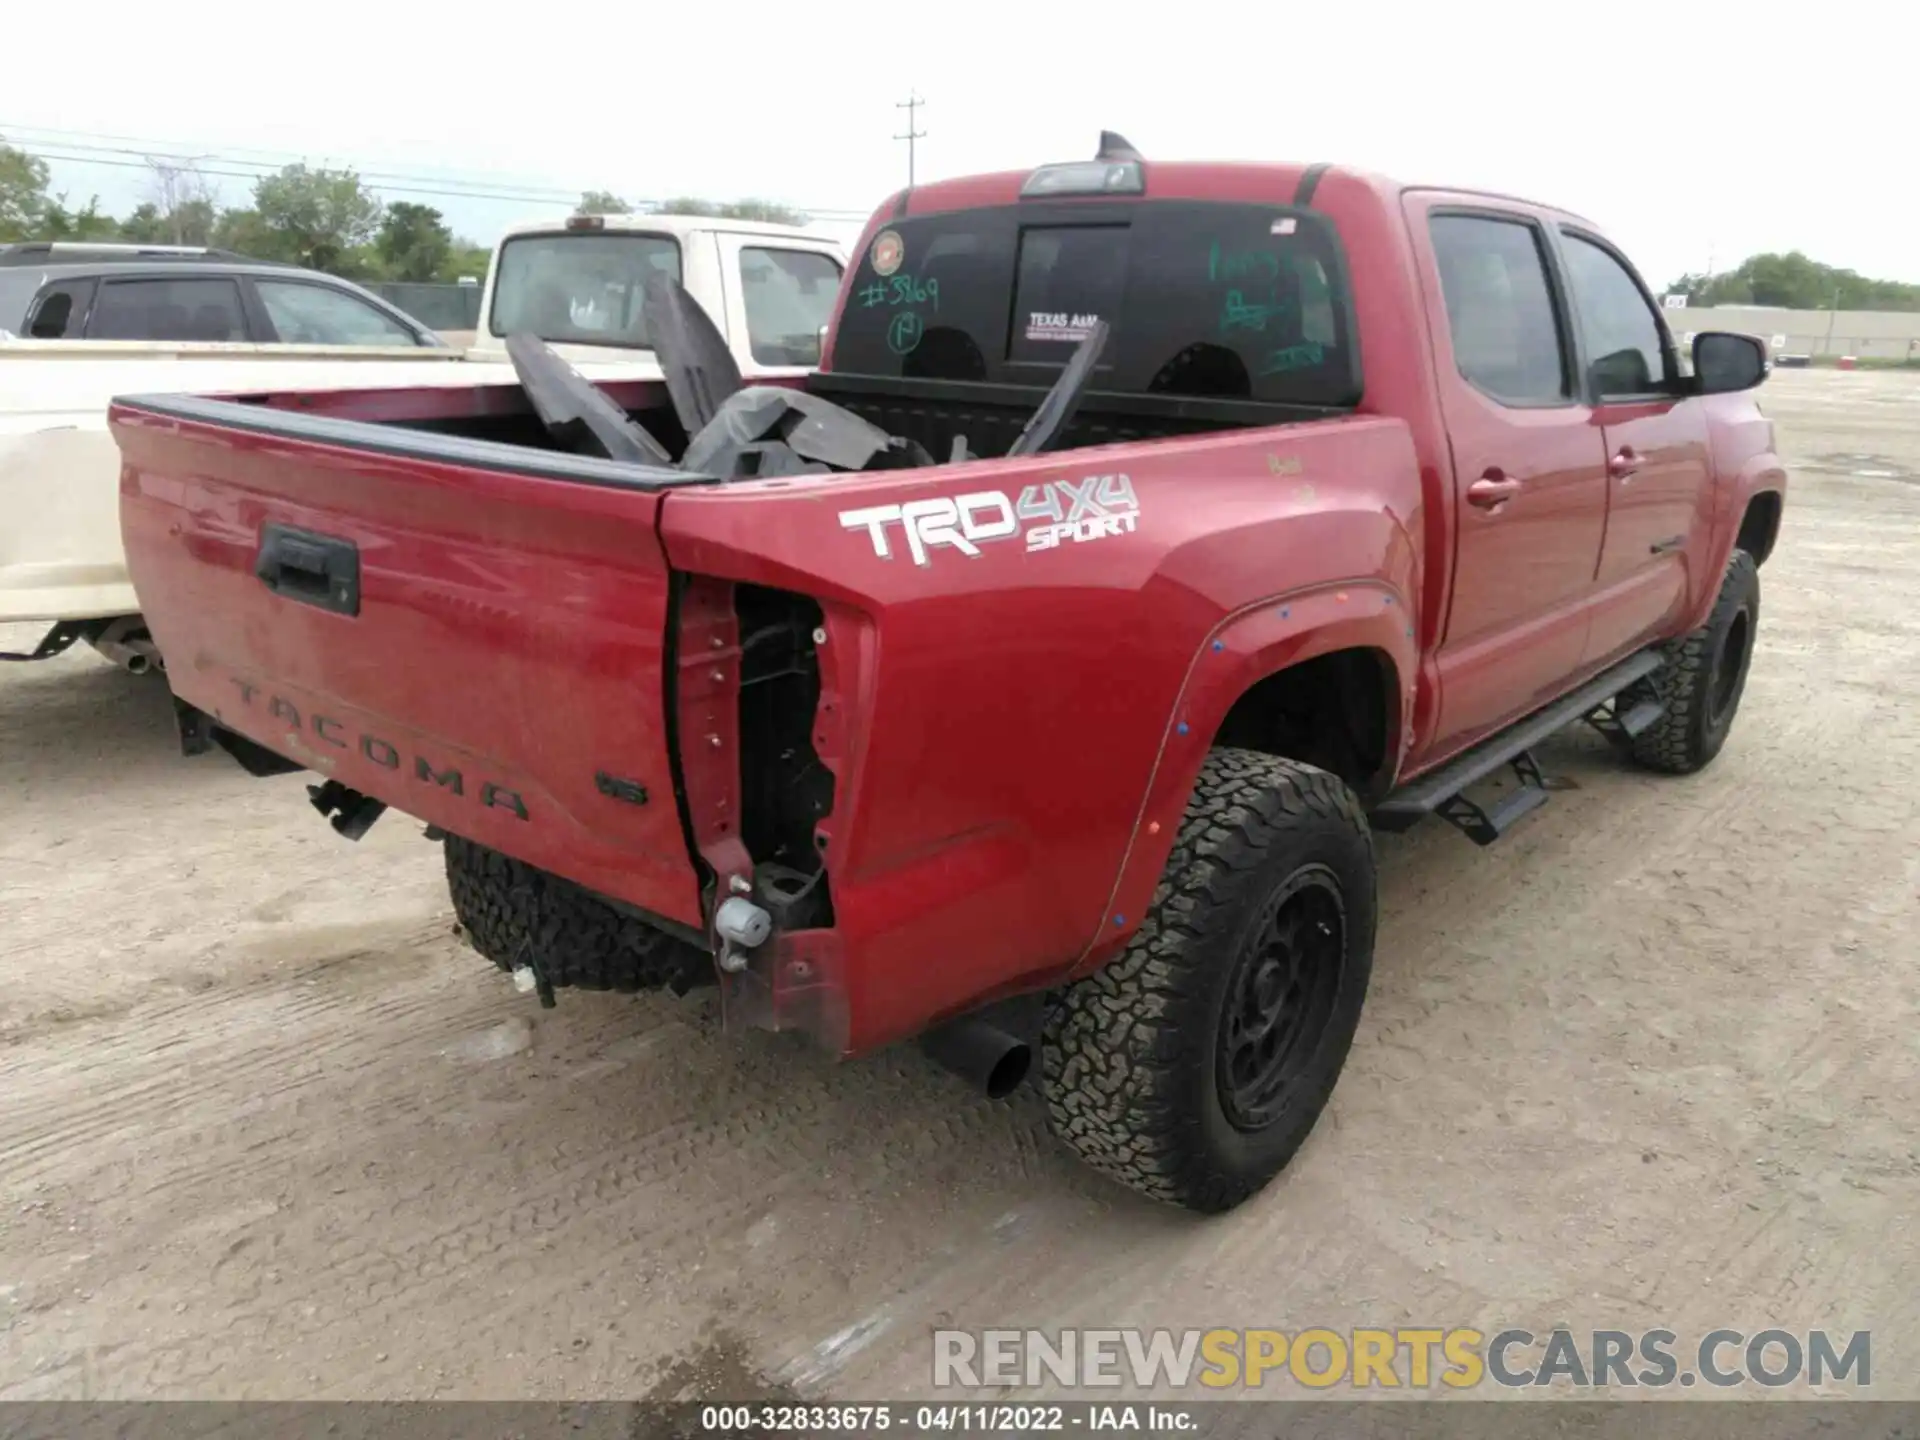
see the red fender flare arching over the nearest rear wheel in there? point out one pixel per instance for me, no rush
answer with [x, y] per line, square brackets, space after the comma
[1243, 650]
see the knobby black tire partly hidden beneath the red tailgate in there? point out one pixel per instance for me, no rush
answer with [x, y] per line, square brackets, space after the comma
[517, 915]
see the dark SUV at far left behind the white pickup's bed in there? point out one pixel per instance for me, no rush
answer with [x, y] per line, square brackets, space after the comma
[178, 293]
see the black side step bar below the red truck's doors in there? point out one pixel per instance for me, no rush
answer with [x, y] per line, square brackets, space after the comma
[1618, 702]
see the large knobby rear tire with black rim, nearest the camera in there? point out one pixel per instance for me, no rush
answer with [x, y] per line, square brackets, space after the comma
[1132, 1055]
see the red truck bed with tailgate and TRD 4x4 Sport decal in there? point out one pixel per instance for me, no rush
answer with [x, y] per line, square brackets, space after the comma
[660, 686]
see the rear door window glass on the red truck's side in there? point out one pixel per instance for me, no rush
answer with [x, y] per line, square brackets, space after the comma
[1500, 308]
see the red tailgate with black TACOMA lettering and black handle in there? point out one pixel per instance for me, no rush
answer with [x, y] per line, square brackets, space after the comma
[471, 633]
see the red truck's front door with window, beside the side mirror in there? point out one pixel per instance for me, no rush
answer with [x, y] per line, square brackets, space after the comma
[1658, 462]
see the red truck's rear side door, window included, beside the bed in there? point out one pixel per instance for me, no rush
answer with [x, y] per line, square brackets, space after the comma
[1529, 466]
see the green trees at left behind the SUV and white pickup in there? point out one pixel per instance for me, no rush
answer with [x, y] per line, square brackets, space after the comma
[318, 218]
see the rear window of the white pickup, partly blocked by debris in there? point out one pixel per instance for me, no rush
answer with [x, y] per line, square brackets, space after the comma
[581, 287]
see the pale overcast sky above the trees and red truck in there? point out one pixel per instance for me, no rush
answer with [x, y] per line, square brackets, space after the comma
[1691, 130]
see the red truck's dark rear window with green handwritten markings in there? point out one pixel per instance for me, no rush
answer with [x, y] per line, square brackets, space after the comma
[1203, 299]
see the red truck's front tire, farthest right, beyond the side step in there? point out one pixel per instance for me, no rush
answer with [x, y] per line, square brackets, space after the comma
[1700, 690]
